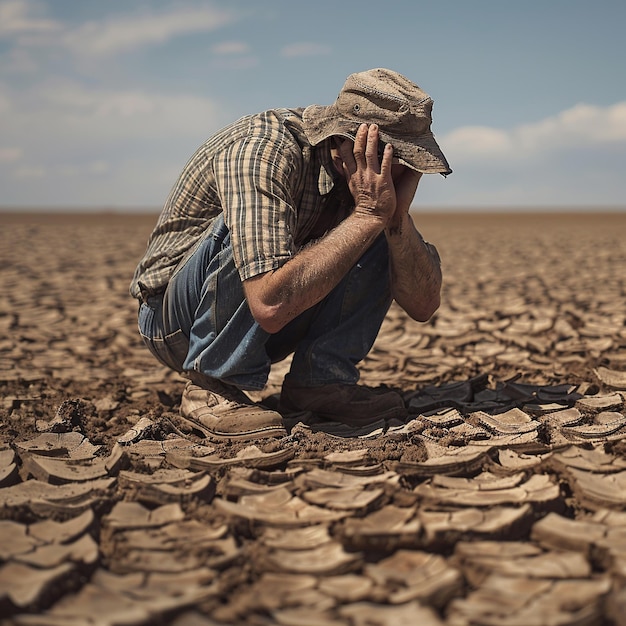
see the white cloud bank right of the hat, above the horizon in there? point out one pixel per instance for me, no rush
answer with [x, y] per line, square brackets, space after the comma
[574, 158]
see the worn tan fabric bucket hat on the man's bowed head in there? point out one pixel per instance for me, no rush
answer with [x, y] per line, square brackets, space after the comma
[400, 108]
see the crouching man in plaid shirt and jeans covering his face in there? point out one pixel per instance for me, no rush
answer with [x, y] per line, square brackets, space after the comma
[288, 232]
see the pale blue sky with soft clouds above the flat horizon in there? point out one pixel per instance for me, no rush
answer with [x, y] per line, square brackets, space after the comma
[102, 102]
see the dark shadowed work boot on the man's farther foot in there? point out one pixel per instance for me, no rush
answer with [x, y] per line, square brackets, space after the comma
[353, 405]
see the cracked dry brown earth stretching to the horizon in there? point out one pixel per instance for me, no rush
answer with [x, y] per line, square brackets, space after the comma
[501, 500]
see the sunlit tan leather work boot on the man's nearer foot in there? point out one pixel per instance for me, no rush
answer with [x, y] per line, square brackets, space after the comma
[221, 411]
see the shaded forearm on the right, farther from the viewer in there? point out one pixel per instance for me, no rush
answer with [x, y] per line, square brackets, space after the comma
[415, 270]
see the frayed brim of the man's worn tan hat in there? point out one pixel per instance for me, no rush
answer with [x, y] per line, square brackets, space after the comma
[420, 153]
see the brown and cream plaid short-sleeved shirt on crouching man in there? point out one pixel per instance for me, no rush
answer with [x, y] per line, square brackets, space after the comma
[272, 186]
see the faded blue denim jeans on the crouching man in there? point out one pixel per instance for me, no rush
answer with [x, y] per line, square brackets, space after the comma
[202, 322]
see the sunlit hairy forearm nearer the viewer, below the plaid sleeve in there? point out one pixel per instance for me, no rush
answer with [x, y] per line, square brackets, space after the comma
[277, 297]
